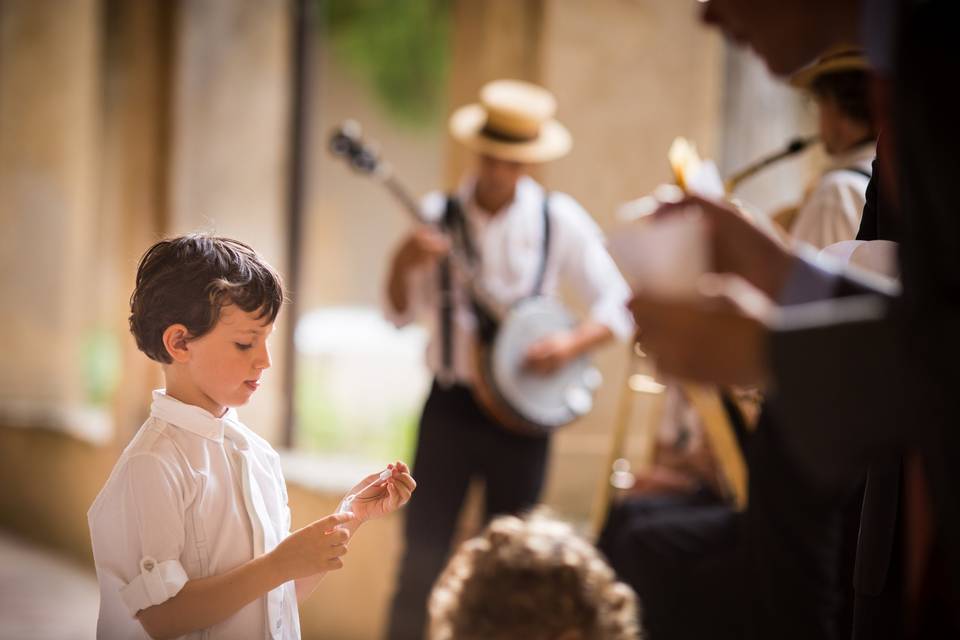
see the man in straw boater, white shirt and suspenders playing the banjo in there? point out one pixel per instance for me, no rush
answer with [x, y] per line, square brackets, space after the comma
[525, 241]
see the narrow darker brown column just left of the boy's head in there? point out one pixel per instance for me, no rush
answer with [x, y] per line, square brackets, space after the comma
[135, 163]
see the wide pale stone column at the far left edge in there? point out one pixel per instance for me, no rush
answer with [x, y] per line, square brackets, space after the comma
[49, 99]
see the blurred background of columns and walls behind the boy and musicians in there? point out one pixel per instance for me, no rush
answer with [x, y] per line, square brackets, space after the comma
[123, 121]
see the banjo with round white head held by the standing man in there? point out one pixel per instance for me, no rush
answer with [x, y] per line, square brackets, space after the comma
[520, 400]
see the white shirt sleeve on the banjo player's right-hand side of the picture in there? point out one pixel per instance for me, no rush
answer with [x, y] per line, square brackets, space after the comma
[587, 266]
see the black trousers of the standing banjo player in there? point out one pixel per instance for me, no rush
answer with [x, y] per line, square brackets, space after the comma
[457, 442]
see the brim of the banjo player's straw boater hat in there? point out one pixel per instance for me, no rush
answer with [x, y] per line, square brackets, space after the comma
[466, 127]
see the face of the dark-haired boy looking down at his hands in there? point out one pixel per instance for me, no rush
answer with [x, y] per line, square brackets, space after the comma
[225, 365]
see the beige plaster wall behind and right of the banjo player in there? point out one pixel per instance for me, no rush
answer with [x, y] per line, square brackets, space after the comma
[629, 77]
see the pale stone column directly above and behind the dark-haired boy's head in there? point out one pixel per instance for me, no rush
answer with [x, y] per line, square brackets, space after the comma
[229, 142]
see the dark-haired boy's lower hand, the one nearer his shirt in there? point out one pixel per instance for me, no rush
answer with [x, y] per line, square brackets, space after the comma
[315, 548]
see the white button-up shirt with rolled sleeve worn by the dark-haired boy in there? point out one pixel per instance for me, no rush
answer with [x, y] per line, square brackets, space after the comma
[191, 496]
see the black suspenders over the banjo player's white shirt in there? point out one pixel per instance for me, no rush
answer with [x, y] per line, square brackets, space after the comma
[454, 223]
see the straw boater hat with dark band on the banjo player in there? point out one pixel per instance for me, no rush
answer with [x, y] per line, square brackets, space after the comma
[513, 121]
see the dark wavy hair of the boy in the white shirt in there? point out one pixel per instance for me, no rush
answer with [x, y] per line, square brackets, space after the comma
[189, 279]
